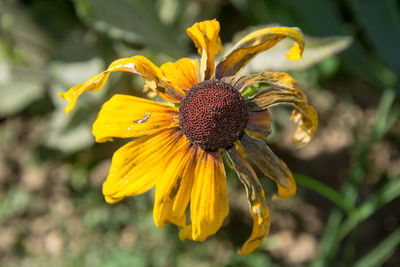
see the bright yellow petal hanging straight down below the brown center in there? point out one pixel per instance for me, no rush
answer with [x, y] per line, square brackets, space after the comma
[209, 198]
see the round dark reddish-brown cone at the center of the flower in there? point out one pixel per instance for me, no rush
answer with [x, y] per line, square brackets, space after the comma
[213, 115]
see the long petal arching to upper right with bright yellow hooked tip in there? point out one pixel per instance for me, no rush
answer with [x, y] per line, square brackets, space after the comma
[255, 43]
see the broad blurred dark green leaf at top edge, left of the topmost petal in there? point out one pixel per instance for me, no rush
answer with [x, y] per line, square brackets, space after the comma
[134, 21]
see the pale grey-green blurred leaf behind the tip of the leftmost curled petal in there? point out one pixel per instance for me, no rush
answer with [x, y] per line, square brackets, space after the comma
[72, 132]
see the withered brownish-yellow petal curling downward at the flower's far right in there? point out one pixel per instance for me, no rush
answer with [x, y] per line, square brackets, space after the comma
[282, 89]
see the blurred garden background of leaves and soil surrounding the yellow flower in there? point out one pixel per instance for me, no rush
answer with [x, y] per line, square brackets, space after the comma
[52, 212]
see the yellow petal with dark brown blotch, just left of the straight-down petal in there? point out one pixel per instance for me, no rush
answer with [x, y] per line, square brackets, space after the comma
[174, 186]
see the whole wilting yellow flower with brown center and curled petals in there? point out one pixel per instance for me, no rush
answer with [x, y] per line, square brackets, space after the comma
[179, 150]
